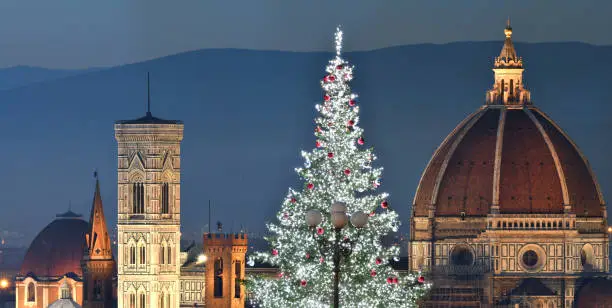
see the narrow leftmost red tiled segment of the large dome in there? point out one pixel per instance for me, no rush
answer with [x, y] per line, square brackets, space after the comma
[424, 191]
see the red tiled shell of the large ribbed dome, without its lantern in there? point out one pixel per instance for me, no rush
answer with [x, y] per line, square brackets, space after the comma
[539, 169]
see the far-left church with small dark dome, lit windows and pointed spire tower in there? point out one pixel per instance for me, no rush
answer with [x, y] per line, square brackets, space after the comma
[65, 254]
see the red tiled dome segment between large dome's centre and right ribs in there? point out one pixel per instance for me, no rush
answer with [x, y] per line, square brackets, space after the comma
[529, 181]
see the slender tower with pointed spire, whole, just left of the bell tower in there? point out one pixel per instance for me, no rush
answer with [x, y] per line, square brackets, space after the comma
[98, 263]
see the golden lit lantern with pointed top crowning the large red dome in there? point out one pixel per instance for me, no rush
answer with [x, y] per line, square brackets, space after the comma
[508, 68]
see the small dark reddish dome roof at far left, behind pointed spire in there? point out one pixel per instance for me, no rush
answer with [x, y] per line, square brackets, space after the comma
[58, 248]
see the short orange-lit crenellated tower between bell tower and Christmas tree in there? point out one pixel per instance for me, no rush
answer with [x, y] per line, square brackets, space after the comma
[225, 268]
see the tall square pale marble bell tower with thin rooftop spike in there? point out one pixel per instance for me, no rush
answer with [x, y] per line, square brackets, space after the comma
[149, 211]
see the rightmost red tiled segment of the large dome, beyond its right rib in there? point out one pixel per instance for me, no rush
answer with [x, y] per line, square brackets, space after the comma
[584, 193]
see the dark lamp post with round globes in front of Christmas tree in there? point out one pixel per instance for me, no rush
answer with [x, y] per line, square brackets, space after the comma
[339, 220]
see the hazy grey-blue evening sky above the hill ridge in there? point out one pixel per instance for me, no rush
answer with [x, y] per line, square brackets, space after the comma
[79, 34]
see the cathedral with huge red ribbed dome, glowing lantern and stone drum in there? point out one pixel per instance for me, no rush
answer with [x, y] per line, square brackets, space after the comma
[508, 211]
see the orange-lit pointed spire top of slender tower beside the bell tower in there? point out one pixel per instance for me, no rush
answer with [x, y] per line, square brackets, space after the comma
[98, 239]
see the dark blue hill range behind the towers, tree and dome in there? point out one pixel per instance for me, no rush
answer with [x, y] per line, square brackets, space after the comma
[248, 114]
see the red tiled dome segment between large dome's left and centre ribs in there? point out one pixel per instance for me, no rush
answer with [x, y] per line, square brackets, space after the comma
[467, 183]
